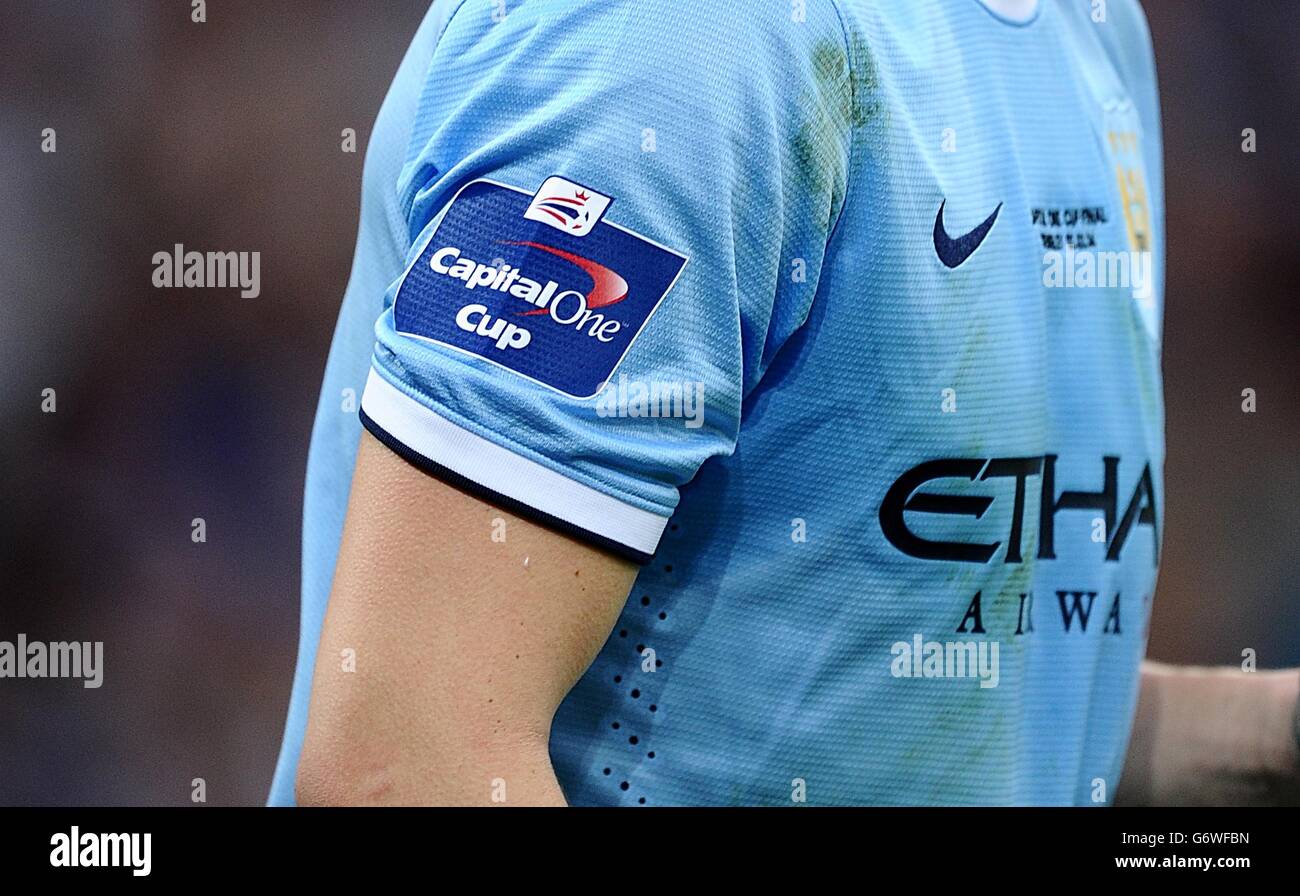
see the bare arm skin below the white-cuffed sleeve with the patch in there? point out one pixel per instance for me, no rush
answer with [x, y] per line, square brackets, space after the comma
[465, 647]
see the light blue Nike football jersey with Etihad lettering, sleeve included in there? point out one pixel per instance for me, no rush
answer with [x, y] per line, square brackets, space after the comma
[843, 318]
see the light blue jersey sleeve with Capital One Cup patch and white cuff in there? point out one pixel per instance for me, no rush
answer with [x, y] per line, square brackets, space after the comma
[618, 213]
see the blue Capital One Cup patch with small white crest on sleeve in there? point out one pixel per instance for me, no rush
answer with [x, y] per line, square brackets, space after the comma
[539, 284]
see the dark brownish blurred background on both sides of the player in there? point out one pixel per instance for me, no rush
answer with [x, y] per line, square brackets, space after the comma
[175, 405]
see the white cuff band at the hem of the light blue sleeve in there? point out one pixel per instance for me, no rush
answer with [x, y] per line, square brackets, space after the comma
[505, 473]
